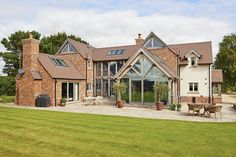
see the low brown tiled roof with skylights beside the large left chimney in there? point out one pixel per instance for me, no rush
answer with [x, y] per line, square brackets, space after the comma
[67, 72]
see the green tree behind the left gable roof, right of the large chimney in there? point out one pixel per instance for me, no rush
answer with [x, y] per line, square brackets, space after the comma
[53, 42]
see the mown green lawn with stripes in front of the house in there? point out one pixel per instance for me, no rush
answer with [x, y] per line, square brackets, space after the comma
[35, 133]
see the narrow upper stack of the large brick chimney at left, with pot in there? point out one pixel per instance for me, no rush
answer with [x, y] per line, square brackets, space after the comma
[30, 53]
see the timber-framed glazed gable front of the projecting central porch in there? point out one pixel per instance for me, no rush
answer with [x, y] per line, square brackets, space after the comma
[143, 75]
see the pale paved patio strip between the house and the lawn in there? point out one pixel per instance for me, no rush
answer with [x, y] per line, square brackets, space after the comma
[228, 113]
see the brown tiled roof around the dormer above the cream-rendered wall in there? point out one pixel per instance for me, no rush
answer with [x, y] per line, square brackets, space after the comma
[202, 48]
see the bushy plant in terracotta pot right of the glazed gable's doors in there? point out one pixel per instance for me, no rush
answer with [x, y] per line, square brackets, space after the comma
[160, 91]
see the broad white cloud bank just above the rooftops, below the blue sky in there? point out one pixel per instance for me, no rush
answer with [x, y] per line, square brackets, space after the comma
[118, 27]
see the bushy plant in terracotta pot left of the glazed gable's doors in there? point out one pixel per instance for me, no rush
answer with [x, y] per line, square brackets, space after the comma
[119, 88]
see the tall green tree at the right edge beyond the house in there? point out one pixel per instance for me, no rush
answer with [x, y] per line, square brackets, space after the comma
[226, 60]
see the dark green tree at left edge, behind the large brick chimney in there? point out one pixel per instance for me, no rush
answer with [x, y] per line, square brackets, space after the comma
[14, 49]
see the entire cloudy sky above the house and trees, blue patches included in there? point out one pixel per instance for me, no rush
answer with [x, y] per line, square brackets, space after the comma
[117, 22]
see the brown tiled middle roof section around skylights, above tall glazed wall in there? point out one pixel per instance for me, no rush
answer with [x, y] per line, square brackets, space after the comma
[101, 54]
